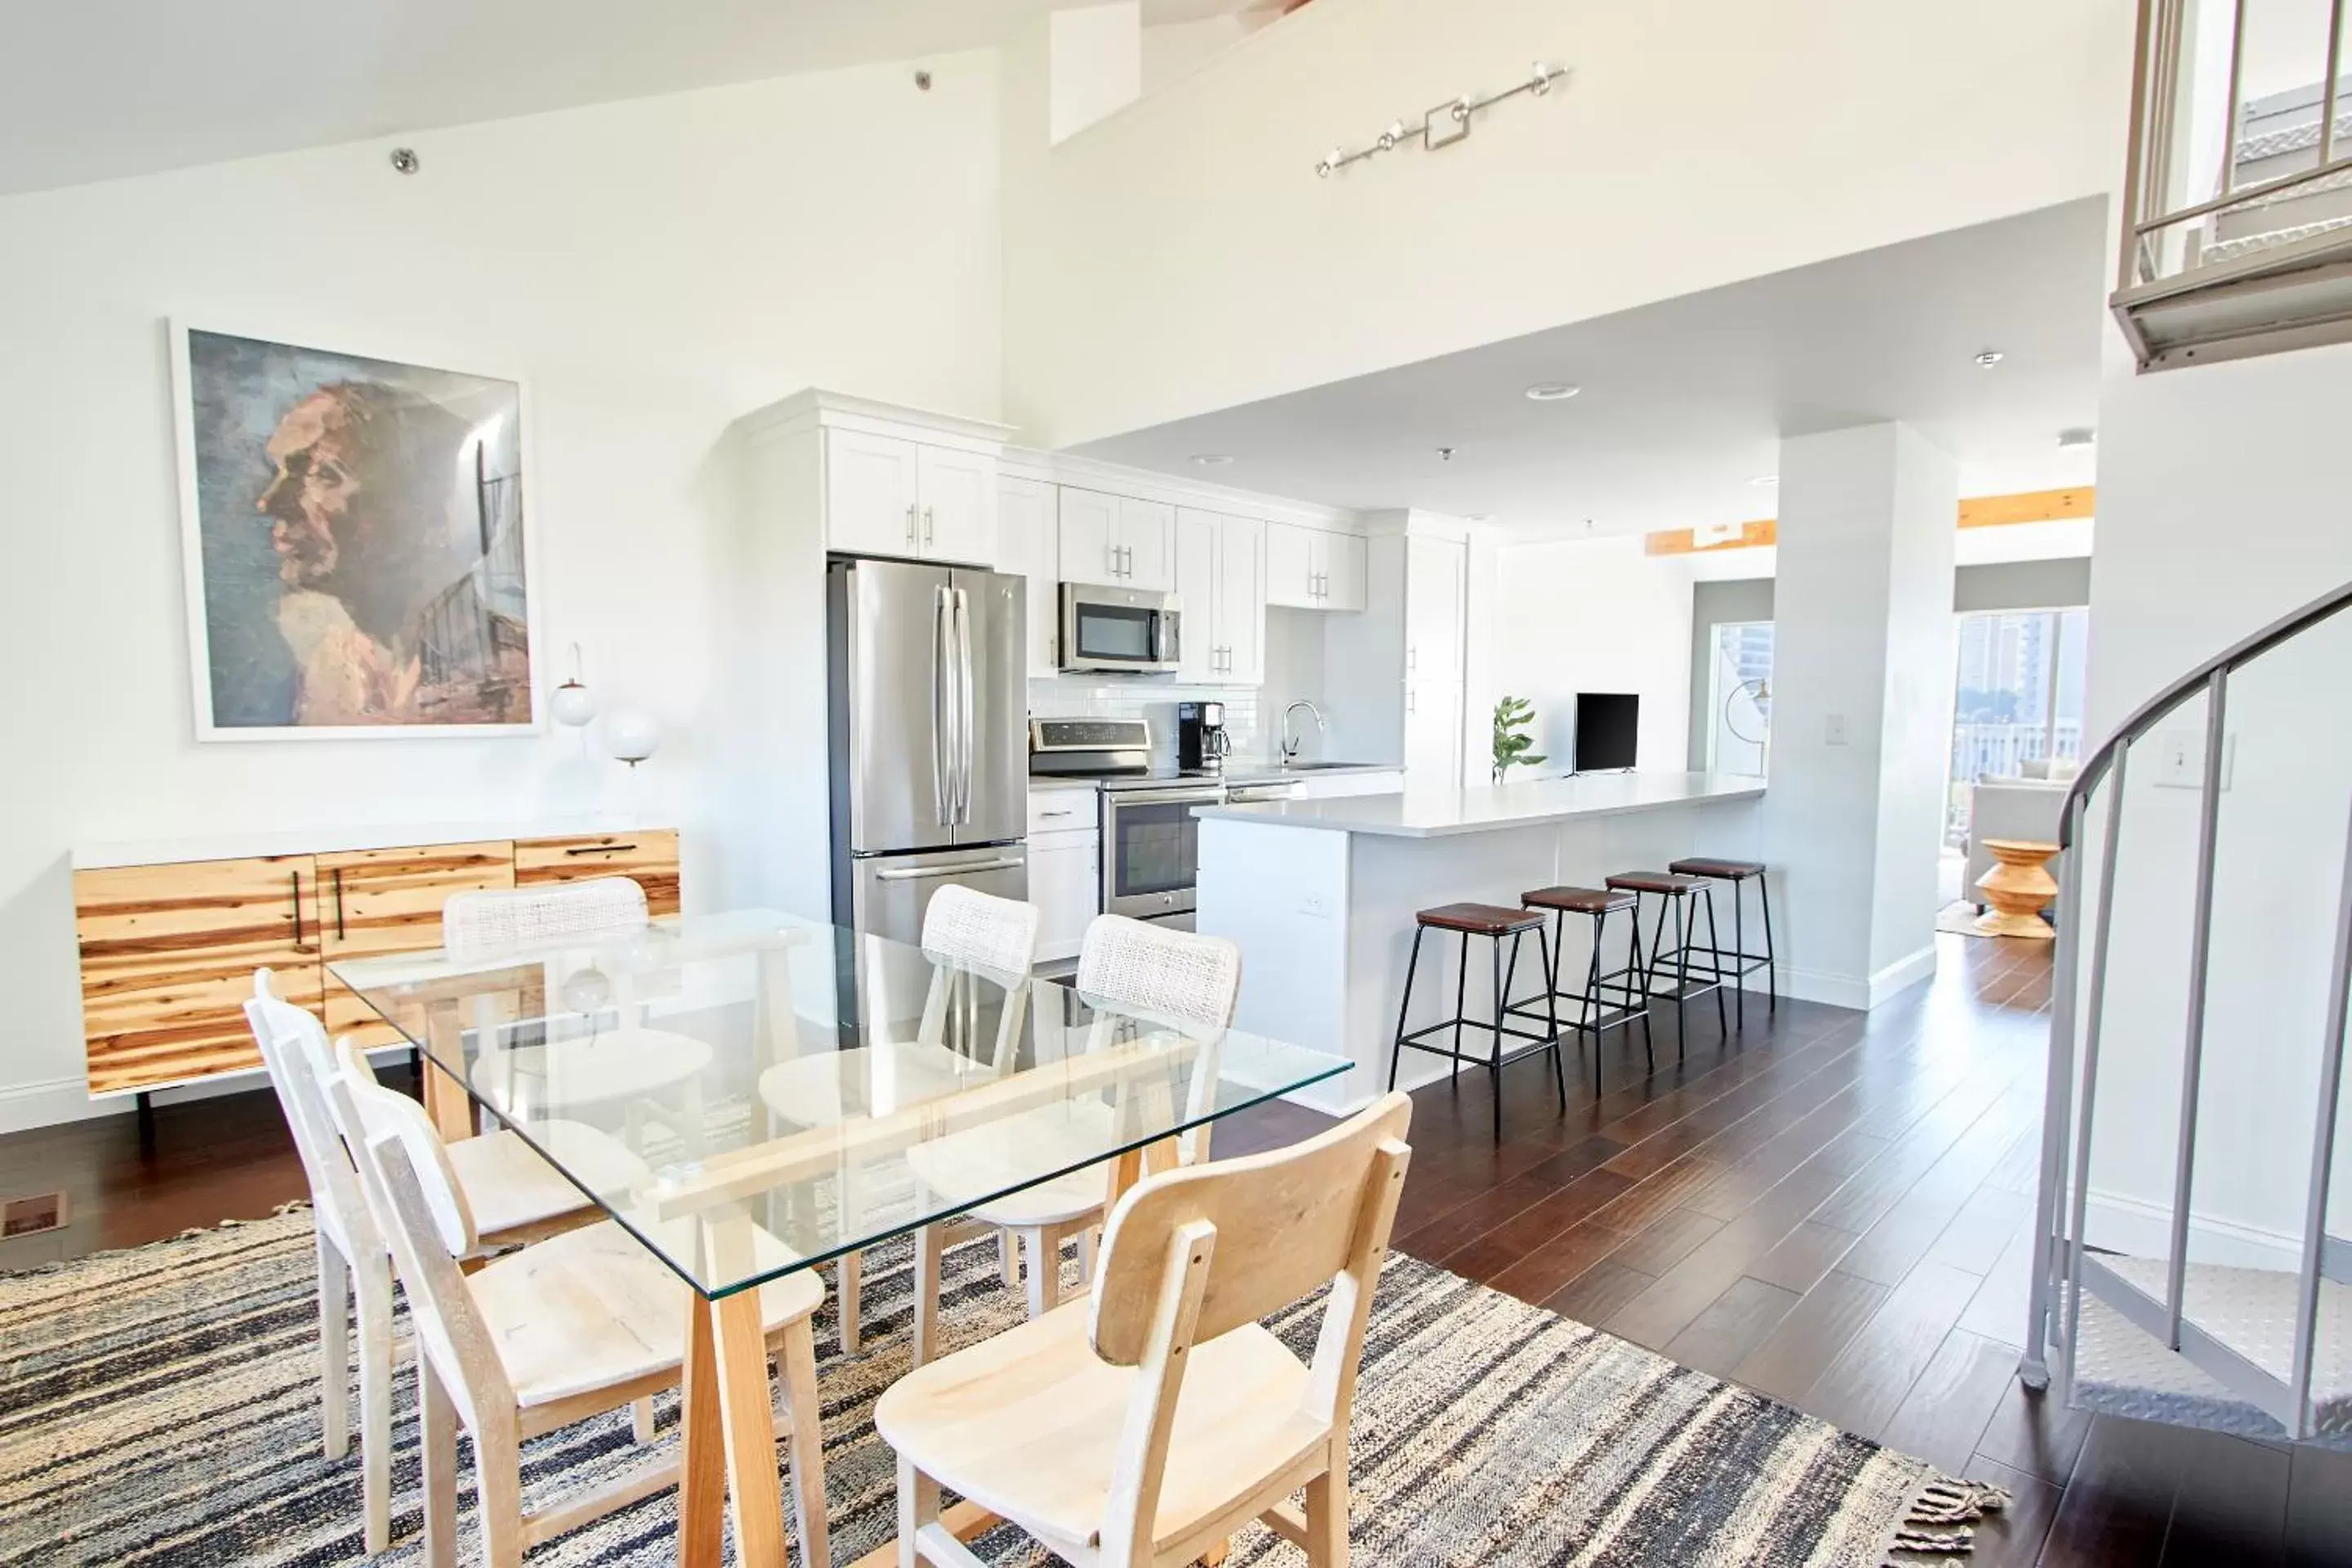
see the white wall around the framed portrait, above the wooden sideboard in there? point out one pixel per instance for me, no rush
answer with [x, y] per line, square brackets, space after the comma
[653, 267]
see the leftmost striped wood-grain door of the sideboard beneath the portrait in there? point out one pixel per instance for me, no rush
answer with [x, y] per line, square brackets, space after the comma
[171, 956]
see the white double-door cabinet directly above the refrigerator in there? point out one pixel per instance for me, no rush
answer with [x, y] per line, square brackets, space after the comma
[888, 495]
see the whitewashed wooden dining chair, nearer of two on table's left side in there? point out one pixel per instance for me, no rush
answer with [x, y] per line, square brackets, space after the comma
[549, 1336]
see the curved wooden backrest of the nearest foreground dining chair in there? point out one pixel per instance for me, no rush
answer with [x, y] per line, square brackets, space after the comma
[1285, 1226]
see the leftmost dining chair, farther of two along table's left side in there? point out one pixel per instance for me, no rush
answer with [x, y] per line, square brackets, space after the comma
[514, 1195]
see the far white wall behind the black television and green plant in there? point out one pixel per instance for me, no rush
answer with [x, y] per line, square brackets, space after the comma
[1591, 617]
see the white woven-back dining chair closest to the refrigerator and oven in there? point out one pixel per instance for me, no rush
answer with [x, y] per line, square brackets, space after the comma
[975, 944]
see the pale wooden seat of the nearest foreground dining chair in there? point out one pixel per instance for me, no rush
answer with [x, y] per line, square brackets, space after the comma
[1029, 1426]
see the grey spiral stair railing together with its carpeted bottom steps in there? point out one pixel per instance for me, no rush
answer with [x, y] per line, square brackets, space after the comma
[2264, 1353]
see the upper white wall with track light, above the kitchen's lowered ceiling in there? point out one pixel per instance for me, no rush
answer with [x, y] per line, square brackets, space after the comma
[1191, 234]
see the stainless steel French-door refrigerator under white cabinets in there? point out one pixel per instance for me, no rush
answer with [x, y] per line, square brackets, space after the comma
[930, 765]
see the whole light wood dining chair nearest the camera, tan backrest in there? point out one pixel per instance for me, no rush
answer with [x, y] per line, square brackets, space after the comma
[1151, 1421]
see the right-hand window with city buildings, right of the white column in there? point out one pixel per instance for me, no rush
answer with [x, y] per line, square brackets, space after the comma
[2022, 692]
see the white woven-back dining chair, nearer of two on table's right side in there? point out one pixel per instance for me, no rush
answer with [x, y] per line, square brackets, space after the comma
[1177, 977]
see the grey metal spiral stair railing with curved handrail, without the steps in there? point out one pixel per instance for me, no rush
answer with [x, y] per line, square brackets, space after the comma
[2064, 1271]
